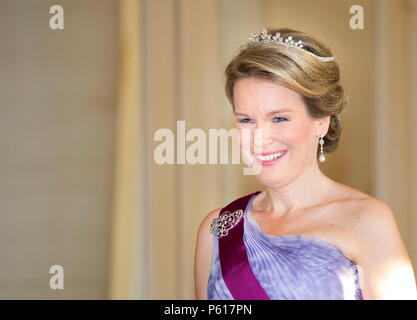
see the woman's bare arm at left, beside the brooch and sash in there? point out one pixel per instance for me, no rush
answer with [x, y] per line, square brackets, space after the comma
[202, 256]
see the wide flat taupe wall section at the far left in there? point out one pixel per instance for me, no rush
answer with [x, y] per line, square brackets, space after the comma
[57, 120]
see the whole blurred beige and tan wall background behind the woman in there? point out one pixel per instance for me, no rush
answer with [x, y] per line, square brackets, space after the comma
[79, 108]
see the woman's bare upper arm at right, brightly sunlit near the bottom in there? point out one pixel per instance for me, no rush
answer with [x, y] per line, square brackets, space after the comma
[387, 272]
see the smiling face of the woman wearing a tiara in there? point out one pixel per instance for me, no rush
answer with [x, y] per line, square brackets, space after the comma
[285, 126]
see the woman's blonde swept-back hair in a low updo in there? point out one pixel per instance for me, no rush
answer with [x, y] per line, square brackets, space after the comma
[318, 82]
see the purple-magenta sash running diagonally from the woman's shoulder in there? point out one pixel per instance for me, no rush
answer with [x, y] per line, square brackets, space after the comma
[236, 270]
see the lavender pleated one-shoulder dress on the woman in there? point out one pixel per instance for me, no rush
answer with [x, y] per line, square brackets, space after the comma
[290, 267]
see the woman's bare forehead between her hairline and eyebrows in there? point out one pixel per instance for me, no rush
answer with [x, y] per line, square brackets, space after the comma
[252, 95]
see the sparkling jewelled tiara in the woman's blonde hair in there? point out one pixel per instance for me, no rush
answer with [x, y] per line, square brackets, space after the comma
[268, 39]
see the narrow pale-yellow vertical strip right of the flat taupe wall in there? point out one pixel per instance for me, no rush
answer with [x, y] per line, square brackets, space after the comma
[128, 272]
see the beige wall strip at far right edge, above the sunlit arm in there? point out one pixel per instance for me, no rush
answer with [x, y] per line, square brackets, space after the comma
[395, 170]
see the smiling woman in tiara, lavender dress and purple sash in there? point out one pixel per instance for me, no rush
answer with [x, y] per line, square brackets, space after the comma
[305, 236]
